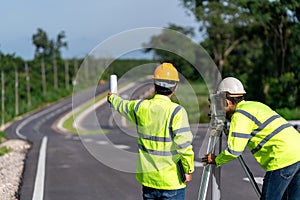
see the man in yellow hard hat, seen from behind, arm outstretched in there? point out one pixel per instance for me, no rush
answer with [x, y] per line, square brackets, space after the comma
[165, 156]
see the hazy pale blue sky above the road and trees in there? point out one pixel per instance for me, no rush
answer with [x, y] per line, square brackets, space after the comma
[85, 23]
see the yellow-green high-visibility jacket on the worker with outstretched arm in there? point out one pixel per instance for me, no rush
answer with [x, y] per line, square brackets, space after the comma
[164, 138]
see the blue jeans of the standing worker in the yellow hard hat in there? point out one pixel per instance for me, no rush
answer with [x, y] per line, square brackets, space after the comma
[156, 194]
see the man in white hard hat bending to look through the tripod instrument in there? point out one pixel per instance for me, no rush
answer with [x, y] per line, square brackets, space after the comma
[274, 143]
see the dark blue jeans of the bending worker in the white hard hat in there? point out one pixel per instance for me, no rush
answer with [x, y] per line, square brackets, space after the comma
[282, 183]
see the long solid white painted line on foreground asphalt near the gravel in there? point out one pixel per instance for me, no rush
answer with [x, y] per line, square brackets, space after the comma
[38, 193]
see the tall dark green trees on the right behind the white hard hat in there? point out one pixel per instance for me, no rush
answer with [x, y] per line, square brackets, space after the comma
[255, 41]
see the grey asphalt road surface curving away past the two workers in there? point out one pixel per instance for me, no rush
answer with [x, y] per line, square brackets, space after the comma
[82, 167]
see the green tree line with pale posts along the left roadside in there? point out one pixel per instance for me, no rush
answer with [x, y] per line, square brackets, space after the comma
[30, 84]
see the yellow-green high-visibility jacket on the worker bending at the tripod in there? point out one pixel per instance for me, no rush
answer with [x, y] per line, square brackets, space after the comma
[272, 140]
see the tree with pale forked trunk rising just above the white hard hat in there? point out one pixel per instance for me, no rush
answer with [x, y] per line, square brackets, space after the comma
[223, 26]
